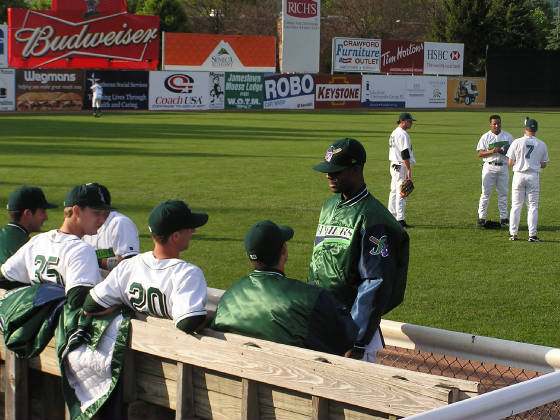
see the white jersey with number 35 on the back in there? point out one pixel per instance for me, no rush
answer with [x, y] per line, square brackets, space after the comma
[56, 257]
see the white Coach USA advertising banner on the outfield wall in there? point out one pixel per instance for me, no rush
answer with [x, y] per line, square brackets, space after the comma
[176, 91]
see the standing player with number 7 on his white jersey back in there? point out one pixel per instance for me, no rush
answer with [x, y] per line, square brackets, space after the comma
[528, 155]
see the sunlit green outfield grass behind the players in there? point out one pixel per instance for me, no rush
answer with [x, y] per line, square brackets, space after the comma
[245, 167]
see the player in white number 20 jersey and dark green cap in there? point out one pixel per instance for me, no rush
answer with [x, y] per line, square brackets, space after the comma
[158, 282]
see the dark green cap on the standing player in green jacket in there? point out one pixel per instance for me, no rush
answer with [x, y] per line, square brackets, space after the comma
[342, 154]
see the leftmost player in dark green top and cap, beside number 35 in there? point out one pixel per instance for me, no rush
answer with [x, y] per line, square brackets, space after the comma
[27, 211]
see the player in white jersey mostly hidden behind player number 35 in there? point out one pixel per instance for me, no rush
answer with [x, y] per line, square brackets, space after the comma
[116, 240]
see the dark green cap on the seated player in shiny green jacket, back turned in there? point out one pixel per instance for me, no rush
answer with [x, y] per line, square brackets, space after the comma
[264, 240]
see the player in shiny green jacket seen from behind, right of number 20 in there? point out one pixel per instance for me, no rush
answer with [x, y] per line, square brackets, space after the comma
[268, 305]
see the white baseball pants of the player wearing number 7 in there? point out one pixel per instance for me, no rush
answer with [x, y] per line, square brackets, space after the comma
[524, 188]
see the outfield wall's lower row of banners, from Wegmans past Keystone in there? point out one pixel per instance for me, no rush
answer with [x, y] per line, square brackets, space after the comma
[30, 90]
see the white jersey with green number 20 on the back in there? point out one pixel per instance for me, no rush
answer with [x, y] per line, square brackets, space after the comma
[166, 288]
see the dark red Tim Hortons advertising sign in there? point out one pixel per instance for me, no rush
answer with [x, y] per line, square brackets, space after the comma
[402, 57]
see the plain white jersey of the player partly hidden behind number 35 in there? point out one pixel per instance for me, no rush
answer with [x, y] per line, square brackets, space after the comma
[118, 236]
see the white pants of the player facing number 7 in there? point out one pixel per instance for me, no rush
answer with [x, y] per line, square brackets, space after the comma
[494, 176]
